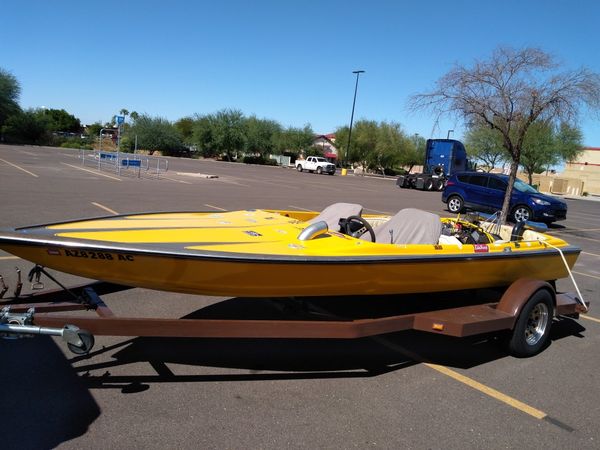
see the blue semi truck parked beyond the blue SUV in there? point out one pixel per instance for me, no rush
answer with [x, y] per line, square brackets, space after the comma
[443, 157]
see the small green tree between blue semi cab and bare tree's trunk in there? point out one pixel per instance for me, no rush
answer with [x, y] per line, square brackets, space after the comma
[484, 144]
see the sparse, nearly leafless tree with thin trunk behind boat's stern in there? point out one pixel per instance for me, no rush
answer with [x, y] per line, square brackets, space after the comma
[508, 93]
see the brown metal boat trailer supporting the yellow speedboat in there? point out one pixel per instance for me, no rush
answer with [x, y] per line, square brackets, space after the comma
[525, 309]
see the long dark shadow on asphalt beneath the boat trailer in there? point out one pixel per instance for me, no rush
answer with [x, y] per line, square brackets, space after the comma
[281, 359]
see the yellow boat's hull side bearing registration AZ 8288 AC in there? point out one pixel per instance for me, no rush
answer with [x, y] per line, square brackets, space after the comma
[273, 277]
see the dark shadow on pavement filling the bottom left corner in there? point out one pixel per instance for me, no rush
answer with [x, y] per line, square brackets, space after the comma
[45, 403]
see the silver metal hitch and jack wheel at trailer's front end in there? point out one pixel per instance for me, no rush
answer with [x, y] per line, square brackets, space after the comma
[20, 325]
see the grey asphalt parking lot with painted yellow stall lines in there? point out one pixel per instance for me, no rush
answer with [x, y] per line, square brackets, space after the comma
[402, 390]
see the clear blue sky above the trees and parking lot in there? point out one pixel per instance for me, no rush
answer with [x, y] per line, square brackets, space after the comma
[287, 61]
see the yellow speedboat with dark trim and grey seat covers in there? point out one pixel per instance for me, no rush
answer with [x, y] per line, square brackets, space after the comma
[270, 253]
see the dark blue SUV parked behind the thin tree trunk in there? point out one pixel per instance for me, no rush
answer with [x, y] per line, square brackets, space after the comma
[485, 192]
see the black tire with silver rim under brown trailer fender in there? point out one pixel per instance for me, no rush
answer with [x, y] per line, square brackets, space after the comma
[532, 329]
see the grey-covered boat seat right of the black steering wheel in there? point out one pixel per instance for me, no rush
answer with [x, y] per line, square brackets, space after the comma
[410, 226]
